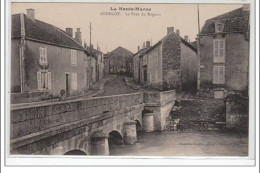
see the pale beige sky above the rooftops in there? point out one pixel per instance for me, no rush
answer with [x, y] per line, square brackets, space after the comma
[128, 31]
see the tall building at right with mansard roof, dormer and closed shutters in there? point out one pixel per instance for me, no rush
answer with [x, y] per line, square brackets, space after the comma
[224, 45]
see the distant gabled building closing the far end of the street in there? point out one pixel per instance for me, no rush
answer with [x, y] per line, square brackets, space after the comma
[119, 61]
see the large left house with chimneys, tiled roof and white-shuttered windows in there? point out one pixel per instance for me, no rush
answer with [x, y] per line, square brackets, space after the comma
[46, 59]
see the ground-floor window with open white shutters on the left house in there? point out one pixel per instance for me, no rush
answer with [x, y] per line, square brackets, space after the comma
[44, 80]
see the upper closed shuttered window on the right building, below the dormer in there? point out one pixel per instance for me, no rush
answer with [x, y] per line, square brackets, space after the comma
[219, 50]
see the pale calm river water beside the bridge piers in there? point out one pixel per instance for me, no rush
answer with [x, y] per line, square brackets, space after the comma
[185, 143]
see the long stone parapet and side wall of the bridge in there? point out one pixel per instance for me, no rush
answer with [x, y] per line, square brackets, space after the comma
[42, 128]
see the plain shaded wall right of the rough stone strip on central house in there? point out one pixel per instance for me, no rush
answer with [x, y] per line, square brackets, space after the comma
[188, 68]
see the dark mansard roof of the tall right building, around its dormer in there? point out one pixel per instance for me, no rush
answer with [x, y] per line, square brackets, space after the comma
[234, 21]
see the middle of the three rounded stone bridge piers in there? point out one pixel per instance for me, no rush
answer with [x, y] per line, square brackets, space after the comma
[130, 136]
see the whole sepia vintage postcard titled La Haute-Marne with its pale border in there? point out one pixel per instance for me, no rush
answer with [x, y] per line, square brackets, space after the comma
[110, 81]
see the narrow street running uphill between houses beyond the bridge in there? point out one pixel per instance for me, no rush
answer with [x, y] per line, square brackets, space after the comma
[116, 85]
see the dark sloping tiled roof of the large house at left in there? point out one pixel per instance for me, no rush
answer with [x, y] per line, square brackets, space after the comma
[42, 32]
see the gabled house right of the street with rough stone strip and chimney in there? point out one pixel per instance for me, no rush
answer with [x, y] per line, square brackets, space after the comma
[170, 64]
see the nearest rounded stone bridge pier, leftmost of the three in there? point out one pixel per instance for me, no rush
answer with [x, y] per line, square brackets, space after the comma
[99, 144]
